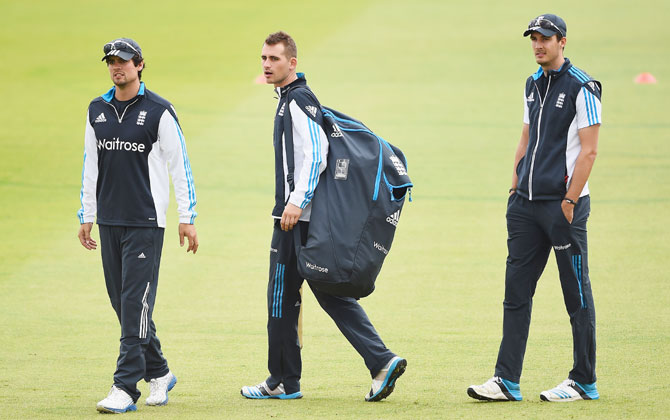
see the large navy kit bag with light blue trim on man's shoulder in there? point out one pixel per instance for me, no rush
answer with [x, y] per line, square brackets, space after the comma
[356, 208]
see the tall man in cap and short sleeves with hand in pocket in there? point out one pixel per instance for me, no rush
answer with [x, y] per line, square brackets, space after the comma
[548, 207]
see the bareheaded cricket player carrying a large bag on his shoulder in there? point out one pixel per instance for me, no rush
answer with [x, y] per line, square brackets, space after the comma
[293, 194]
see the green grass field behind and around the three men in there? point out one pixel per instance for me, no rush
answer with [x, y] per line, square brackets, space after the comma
[440, 79]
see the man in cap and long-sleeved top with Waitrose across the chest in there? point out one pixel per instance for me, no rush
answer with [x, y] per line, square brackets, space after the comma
[133, 144]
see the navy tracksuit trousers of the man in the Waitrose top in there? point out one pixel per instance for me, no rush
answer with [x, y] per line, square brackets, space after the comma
[130, 259]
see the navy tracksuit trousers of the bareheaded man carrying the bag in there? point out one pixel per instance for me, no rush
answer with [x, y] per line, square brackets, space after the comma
[284, 361]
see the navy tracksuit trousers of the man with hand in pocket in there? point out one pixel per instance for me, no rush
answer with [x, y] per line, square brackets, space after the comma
[534, 228]
